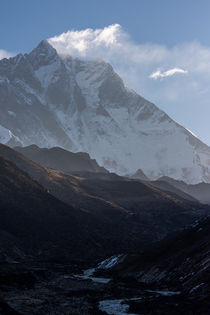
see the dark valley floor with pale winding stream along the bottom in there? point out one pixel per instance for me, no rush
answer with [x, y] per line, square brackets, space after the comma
[57, 289]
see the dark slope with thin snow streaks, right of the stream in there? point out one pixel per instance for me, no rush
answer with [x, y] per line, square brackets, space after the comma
[174, 274]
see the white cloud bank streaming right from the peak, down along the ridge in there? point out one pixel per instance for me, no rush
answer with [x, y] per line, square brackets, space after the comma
[135, 63]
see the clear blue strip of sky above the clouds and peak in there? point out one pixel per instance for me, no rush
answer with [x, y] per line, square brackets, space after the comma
[24, 23]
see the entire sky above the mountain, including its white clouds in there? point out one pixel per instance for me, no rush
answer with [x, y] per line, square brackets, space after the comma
[161, 48]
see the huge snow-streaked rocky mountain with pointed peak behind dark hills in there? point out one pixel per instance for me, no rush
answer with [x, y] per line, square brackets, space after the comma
[52, 100]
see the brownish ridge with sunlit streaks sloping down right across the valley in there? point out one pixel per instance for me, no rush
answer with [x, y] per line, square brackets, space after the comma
[128, 212]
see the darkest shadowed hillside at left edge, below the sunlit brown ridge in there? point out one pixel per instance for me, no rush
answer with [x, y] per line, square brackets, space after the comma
[29, 212]
